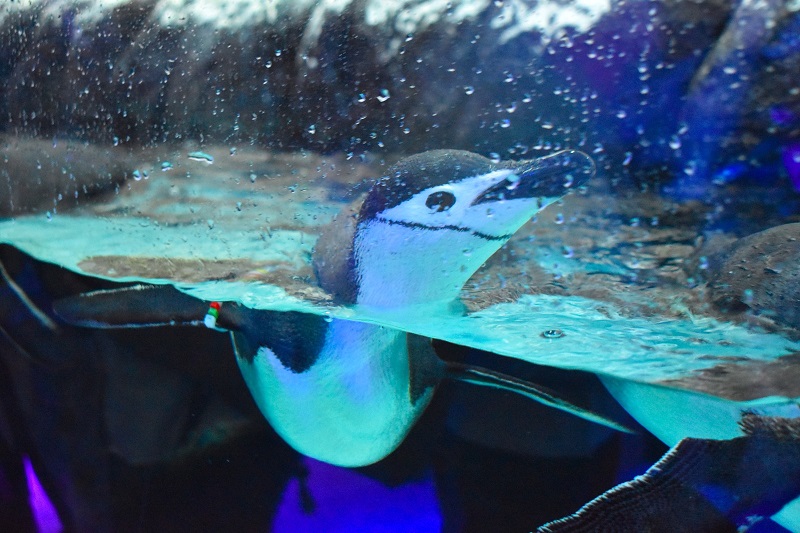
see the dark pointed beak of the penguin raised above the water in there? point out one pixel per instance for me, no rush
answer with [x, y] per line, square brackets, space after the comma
[547, 177]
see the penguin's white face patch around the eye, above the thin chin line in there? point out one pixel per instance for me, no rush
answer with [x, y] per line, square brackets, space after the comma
[458, 206]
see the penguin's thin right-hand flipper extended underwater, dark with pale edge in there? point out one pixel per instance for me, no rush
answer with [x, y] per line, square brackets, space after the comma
[497, 380]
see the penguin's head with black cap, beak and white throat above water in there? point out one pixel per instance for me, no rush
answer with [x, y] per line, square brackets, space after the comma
[428, 225]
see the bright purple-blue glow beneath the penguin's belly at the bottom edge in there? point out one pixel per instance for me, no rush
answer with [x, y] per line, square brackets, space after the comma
[345, 500]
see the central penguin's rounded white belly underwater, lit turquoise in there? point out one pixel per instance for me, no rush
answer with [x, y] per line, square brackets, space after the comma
[352, 407]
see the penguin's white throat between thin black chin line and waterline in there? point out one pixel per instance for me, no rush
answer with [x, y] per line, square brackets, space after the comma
[400, 265]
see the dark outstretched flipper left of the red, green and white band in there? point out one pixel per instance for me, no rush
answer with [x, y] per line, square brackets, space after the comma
[134, 306]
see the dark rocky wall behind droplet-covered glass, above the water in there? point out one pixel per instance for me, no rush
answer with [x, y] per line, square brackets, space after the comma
[683, 91]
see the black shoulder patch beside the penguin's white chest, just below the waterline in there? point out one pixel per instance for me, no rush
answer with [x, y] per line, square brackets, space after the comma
[295, 338]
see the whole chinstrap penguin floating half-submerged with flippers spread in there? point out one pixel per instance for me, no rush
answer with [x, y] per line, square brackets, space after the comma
[348, 392]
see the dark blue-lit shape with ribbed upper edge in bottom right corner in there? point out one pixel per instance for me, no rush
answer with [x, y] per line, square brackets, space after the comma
[703, 485]
